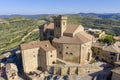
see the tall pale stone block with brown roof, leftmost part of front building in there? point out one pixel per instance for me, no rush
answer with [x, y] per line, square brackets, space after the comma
[30, 56]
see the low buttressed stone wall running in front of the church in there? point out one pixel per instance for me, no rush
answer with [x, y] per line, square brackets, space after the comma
[71, 70]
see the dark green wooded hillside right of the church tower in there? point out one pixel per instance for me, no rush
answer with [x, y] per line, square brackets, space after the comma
[109, 25]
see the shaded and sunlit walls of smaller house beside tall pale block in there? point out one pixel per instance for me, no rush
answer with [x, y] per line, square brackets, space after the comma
[47, 58]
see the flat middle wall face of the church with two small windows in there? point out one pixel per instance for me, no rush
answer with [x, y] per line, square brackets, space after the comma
[71, 52]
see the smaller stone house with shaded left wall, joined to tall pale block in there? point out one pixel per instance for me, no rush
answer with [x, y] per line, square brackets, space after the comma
[47, 55]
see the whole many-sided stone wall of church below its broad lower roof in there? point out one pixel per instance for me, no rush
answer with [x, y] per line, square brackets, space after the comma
[77, 53]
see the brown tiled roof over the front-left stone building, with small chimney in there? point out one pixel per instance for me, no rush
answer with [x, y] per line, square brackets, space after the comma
[45, 45]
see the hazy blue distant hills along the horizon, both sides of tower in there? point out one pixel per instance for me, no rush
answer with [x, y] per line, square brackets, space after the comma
[95, 15]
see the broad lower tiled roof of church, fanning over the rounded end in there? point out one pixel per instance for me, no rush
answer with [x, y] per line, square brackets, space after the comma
[79, 38]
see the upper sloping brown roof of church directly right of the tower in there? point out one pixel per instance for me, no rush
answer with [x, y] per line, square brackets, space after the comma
[71, 28]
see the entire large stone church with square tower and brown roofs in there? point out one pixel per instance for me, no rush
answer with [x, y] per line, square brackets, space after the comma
[71, 41]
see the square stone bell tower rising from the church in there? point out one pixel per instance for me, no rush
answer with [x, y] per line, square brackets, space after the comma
[60, 25]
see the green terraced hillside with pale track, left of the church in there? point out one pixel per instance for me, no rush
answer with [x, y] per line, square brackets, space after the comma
[13, 29]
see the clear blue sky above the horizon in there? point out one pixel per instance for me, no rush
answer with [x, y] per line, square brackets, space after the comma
[58, 6]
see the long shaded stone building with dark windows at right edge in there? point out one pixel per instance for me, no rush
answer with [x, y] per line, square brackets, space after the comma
[108, 53]
